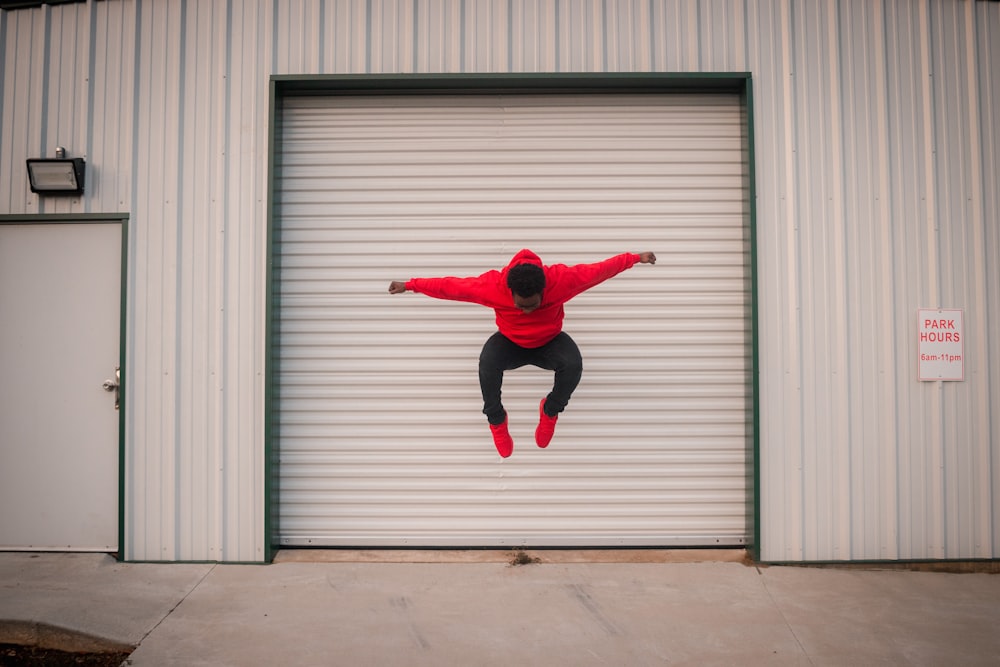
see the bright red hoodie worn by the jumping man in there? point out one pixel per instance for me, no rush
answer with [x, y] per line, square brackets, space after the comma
[538, 327]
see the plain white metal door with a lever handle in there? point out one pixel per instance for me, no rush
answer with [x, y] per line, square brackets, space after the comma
[59, 332]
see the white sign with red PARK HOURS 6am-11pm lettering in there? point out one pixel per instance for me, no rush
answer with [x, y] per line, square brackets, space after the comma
[940, 344]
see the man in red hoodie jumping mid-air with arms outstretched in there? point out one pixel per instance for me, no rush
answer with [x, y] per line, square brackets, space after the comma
[528, 299]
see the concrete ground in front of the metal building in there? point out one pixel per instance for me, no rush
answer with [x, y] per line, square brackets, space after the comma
[476, 608]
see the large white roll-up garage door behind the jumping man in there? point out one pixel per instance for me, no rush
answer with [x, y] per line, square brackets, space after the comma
[380, 436]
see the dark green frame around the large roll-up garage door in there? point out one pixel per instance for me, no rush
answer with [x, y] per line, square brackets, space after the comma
[282, 86]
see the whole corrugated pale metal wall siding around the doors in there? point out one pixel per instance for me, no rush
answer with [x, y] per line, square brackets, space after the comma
[876, 162]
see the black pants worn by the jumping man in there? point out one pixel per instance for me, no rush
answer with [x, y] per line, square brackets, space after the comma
[500, 354]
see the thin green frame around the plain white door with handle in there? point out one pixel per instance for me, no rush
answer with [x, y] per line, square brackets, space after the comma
[99, 218]
